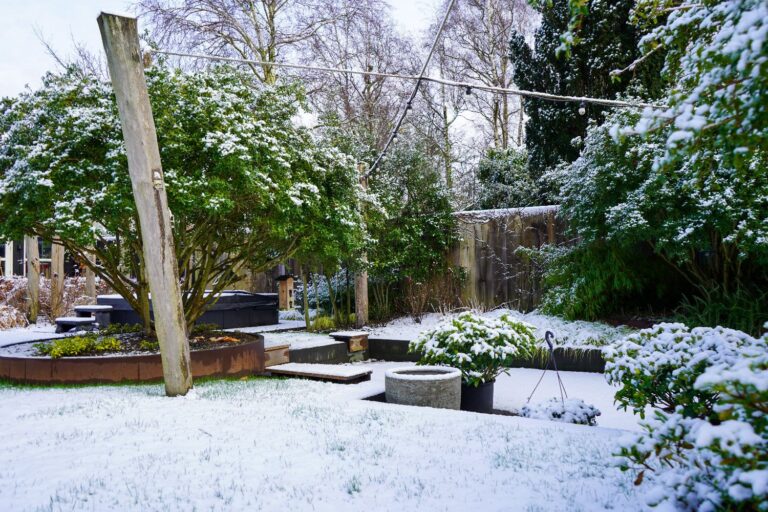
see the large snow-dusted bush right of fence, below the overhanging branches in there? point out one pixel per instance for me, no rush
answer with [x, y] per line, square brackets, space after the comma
[644, 234]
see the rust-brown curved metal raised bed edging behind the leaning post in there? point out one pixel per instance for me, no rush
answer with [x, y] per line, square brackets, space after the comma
[18, 363]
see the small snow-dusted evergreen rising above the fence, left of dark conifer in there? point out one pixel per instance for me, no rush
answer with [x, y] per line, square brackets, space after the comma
[504, 180]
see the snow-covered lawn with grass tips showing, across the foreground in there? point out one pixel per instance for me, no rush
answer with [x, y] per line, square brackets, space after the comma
[270, 444]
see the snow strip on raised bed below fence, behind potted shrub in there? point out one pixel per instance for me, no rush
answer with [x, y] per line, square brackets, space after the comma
[567, 333]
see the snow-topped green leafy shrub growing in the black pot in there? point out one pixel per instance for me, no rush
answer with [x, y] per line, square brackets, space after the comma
[480, 347]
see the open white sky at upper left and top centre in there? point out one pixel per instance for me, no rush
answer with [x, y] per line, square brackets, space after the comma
[23, 59]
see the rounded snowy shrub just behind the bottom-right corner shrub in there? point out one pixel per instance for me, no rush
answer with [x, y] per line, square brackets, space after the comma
[659, 366]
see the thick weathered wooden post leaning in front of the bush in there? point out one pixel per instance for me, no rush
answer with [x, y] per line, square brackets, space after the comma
[121, 42]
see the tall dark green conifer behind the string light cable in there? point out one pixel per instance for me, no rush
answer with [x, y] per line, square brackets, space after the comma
[607, 41]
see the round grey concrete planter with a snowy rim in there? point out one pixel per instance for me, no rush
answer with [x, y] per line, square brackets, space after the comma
[427, 386]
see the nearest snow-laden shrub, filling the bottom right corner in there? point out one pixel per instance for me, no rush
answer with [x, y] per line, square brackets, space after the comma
[710, 464]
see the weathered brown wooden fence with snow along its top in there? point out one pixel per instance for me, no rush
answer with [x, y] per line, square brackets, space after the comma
[495, 273]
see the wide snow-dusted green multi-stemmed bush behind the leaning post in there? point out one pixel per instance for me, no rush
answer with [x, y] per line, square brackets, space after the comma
[245, 184]
